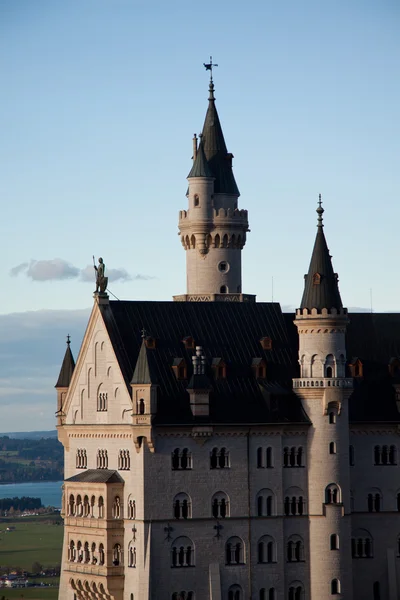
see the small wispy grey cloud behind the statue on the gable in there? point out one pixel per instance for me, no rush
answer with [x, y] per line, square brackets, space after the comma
[58, 269]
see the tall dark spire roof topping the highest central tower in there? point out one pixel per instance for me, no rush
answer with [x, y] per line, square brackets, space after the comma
[215, 150]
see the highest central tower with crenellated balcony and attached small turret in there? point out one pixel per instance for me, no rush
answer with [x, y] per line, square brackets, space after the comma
[213, 229]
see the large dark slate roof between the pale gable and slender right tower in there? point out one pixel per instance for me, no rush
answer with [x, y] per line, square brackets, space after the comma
[231, 331]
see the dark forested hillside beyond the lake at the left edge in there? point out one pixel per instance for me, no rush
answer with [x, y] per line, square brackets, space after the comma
[24, 460]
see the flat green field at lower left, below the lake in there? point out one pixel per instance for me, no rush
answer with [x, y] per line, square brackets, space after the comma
[34, 540]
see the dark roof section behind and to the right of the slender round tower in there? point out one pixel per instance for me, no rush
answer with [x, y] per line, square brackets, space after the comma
[374, 339]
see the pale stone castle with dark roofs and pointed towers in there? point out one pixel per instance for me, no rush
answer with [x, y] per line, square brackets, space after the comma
[218, 449]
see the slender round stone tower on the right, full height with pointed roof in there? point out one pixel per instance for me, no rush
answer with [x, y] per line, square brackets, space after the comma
[324, 390]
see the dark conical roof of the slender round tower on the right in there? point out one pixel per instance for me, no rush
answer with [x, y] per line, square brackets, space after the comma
[321, 288]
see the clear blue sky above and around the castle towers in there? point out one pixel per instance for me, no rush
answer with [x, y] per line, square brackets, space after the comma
[100, 100]
